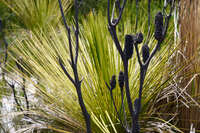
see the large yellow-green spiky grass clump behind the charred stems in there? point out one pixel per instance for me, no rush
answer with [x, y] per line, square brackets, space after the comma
[98, 61]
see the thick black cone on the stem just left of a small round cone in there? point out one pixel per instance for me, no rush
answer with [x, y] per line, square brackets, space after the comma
[128, 49]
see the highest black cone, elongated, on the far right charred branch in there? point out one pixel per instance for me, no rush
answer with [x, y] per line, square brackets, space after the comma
[158, 26]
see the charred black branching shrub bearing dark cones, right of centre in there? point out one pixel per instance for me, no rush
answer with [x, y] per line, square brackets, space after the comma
[132, 41]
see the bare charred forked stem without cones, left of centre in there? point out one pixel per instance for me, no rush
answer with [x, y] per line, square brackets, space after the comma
[76, 82]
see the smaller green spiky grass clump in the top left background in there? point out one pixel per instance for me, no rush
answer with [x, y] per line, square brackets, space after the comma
[34, 14]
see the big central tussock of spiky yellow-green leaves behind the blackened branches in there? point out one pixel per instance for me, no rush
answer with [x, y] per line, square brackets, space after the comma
[57, 89]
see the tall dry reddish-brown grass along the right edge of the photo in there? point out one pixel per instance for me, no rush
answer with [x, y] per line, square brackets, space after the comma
[190, 43]
